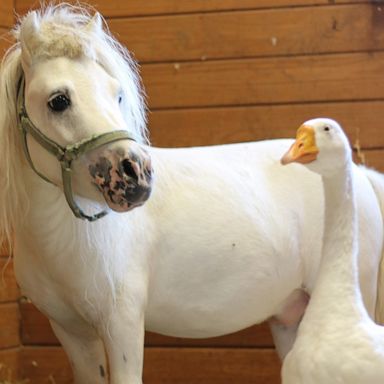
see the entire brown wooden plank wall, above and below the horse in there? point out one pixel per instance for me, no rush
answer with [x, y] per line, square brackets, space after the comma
[223, 71]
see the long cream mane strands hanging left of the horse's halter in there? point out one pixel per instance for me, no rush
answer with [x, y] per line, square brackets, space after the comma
[13, 195]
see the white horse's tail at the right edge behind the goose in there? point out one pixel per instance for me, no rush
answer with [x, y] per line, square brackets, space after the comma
[377, 181]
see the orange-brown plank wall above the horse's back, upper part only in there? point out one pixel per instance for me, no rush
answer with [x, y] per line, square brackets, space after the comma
[239, 70]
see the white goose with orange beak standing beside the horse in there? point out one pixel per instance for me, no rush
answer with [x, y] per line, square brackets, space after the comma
[337, 340]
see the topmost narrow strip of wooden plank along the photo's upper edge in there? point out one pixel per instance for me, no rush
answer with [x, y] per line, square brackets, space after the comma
[118, 8]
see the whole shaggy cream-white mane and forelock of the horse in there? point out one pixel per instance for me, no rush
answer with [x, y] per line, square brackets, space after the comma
[63, 30]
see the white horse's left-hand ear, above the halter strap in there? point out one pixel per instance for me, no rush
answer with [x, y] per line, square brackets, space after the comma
[28, 33]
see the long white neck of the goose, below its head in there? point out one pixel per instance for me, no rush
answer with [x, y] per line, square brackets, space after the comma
[337, 289]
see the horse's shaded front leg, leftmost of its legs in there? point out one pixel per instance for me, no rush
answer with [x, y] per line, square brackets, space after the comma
[86, 355]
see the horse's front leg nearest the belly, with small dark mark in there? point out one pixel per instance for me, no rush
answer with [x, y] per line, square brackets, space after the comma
[124, 344]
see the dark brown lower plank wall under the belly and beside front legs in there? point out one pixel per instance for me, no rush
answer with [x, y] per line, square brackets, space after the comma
[245, 357]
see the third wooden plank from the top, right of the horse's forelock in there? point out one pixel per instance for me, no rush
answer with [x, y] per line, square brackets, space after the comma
[265, 81]
